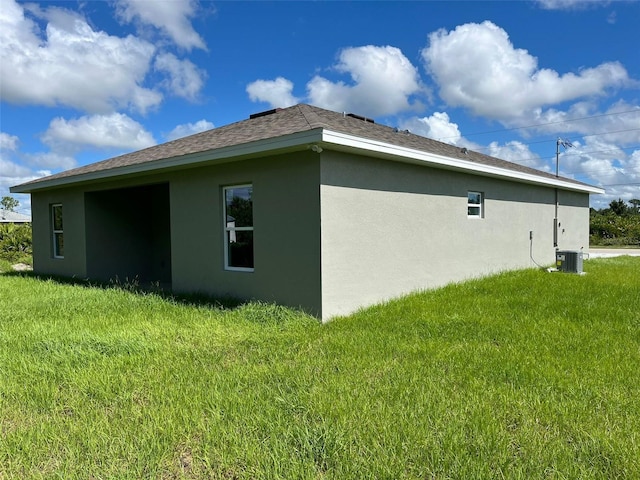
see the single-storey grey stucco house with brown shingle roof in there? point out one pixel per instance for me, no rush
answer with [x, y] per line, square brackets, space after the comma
[306, 207]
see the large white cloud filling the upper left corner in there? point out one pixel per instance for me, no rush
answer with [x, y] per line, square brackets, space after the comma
[70, 63]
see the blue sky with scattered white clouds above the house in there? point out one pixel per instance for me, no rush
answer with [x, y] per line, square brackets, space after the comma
[82, 81]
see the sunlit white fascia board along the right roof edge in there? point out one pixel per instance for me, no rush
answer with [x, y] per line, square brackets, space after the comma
[411, 155]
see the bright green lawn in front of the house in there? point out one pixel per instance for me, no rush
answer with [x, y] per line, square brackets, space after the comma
[522, 375]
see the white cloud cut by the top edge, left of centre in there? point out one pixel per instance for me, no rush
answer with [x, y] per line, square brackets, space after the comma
[171, 17]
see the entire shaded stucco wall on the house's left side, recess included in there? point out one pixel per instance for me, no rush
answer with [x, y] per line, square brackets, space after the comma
[103, 239]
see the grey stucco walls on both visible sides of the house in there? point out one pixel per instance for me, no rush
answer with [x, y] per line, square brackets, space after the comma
[332, 231]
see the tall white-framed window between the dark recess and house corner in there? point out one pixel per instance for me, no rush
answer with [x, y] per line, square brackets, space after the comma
[238, 227]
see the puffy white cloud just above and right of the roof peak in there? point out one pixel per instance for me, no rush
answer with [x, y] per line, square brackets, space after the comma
[383, 82]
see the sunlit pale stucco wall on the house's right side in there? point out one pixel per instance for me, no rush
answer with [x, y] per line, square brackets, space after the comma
[390, 228]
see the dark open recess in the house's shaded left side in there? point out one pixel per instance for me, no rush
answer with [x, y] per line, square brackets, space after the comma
[128, 234]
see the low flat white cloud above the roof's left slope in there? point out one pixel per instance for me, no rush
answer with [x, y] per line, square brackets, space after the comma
[97, 131]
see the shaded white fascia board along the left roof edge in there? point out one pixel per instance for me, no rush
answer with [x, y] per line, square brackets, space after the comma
[294, 141]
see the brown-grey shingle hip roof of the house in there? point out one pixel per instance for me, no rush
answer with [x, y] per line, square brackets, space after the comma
[286, 121]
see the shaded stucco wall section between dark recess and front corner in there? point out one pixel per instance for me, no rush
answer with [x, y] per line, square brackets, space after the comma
[286, 212]
